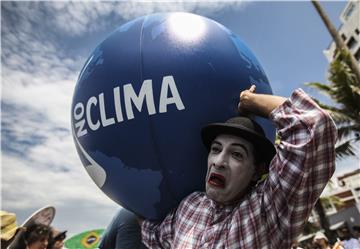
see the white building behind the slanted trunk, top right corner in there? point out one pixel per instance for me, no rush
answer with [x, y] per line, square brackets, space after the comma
[349, 31]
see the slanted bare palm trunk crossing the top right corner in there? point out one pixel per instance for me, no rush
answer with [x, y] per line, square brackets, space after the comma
[338, 41]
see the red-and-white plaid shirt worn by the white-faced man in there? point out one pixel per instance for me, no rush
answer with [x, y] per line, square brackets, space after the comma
[274, 212]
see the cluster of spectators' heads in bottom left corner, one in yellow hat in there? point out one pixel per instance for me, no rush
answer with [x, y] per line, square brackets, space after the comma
[29, 236]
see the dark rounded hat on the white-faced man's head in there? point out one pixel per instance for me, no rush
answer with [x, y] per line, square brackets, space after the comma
[243, 127]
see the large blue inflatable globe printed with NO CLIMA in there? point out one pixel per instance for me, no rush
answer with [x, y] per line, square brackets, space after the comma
[142, 98]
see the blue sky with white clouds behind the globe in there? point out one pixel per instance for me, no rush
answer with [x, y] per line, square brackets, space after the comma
[45, 45]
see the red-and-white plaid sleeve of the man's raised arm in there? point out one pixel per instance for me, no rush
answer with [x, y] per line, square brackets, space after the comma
[304, 163]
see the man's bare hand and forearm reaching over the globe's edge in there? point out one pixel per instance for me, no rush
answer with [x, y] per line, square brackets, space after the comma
[262, 105]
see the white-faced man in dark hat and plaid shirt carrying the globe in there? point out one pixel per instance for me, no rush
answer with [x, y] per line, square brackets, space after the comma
[240, 207]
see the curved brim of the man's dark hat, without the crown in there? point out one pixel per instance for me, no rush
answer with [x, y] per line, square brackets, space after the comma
[262, 145]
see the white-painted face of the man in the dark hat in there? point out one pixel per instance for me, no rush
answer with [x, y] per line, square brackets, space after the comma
[230, 168]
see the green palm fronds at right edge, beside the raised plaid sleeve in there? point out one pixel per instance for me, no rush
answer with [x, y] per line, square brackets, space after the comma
[344, 90]
